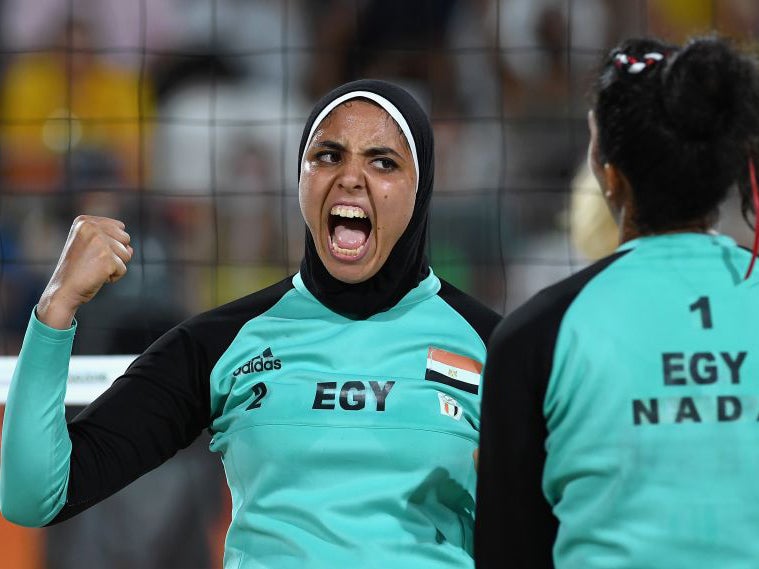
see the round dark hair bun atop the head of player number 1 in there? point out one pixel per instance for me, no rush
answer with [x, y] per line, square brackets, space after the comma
[706, 90]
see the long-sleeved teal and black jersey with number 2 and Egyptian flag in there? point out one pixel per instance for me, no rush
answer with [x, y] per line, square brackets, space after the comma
[346, 443]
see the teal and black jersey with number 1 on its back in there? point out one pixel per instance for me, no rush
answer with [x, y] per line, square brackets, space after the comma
[621, 416]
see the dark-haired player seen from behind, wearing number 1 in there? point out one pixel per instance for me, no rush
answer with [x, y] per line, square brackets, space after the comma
[620, 420]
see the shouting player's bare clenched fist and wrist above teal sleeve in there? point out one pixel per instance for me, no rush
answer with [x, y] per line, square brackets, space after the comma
[96, 252]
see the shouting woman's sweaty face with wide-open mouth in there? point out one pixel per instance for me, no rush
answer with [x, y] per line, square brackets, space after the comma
[357, 164]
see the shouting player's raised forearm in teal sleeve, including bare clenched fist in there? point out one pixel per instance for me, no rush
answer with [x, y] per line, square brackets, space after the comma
[34, 466]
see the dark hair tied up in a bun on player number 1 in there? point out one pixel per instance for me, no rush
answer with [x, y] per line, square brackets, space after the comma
[681, 128]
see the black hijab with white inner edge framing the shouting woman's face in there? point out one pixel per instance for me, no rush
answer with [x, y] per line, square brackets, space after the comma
[407, 264]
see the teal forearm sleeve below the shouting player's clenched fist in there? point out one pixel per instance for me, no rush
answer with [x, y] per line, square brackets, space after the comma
[36, 449]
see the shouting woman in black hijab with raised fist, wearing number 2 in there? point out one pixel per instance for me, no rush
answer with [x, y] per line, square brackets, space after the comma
[344, 400]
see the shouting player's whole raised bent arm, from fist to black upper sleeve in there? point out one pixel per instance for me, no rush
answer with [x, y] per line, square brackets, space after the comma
[49, 470]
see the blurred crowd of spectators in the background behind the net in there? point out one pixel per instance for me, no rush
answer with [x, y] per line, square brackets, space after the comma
[182, 118]
